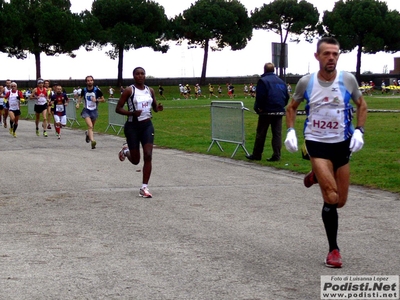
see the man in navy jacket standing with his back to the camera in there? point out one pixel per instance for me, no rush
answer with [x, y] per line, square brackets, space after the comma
[271, 98]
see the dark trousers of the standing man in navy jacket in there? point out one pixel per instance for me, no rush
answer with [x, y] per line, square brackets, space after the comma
[262, 128]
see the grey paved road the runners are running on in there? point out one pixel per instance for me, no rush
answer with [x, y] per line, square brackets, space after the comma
[72, 226]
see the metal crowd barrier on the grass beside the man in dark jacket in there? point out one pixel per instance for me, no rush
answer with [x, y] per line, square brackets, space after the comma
[227, 124]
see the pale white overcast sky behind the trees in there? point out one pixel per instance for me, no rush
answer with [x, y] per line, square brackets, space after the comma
[182, 62]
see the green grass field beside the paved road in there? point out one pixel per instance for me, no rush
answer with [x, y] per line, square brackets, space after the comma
[185, 125]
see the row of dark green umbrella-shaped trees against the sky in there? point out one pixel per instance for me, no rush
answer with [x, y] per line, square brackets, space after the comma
[49, 27]
